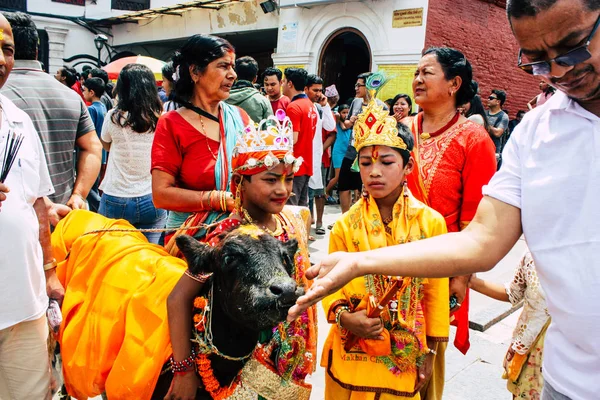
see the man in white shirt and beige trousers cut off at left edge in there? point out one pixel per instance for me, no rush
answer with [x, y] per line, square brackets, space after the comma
[26, 265]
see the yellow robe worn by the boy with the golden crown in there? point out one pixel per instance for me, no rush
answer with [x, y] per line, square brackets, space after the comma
[357, 375]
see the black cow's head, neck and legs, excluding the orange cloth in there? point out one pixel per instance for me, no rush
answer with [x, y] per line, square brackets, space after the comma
[253, 290]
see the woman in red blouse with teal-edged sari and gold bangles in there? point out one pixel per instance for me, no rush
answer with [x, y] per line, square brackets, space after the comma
[191, 153]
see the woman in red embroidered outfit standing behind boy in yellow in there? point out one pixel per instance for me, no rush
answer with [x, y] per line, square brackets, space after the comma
[455, 158]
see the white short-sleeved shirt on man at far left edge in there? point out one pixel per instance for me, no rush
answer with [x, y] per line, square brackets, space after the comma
[23, 283]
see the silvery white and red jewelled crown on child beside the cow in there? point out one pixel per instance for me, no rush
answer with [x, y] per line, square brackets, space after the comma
[264, 146]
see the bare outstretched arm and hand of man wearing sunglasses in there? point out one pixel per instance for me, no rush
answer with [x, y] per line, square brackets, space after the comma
[488, 238]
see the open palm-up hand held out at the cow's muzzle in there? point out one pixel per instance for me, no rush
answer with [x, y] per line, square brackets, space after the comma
[331, 274]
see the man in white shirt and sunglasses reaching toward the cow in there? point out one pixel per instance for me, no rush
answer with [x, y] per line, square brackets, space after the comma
[548, 188]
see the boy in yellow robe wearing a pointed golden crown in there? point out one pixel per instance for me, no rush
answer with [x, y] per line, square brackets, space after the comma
[385, 329]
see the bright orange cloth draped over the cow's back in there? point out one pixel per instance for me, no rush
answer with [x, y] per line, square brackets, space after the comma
[114, 336]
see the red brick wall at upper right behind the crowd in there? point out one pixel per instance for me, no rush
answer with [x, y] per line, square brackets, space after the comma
[480, 29]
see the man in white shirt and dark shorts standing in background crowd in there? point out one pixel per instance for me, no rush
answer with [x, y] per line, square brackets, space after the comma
[325, 120]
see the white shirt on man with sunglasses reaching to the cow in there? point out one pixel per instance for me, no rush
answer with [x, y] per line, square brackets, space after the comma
[551, 171]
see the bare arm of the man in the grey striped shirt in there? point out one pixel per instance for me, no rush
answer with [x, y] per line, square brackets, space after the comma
[88, 168]
